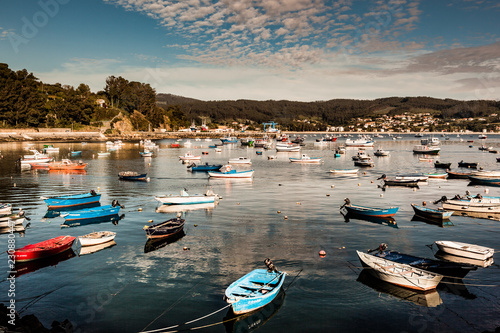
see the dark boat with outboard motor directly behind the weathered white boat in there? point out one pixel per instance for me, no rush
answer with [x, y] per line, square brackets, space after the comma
[448, 269]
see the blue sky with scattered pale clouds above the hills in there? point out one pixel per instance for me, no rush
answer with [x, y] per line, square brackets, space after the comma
[298, 50]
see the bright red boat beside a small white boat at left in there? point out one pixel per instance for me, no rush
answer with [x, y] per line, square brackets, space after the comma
[44, 249]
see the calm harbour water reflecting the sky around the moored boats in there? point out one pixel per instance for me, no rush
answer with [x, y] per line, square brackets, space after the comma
[124, 288]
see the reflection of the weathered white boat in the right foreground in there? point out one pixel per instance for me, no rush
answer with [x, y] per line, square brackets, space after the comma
[429, 299]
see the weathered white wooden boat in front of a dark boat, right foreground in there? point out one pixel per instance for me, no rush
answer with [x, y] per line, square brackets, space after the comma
[399, 274]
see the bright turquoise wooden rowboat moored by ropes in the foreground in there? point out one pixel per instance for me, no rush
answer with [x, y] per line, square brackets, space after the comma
[254, 290]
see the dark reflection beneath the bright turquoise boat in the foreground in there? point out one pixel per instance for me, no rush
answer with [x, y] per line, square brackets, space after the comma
[253, 320]
